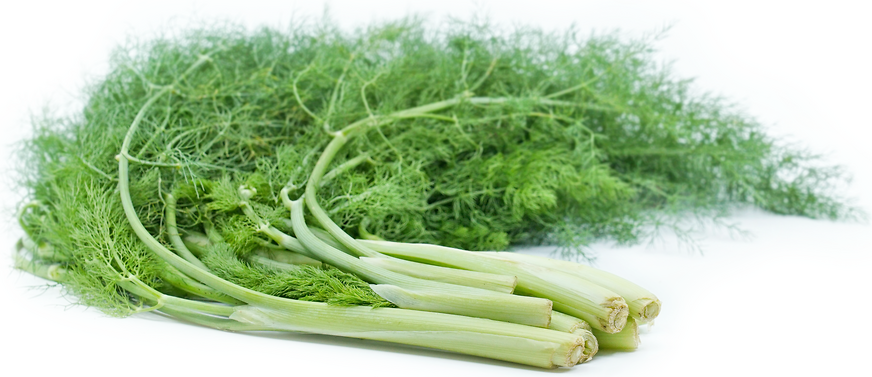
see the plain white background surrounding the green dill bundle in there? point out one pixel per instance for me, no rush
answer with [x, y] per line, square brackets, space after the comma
[792, 299]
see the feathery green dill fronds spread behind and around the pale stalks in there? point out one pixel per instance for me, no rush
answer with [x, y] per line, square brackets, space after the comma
[589, 139]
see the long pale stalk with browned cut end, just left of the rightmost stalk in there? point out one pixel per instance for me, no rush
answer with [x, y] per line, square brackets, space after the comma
[602, 308]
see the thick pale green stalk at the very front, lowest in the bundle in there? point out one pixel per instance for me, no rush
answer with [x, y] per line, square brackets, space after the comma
[476, 336]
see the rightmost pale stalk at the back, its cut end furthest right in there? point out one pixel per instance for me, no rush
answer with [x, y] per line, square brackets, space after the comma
[644, 305]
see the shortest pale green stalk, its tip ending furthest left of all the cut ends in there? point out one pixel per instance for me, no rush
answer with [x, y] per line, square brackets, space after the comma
[483, 280]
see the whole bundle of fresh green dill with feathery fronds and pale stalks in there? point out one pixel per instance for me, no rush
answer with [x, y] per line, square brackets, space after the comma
[248, 181]
